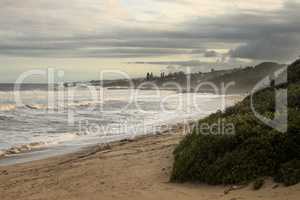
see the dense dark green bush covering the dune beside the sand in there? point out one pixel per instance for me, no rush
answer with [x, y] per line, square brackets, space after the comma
[254, 151]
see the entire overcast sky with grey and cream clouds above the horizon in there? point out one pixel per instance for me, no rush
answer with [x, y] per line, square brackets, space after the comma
[86, 37]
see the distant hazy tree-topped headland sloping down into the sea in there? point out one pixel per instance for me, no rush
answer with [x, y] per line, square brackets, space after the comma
[244, 79]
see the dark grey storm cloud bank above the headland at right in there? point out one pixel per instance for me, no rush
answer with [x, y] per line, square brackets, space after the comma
[273, 35]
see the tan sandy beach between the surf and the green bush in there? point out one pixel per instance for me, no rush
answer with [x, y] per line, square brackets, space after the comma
[130, 169]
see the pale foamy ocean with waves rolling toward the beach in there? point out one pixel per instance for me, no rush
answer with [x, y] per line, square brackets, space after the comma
[37, 118]
